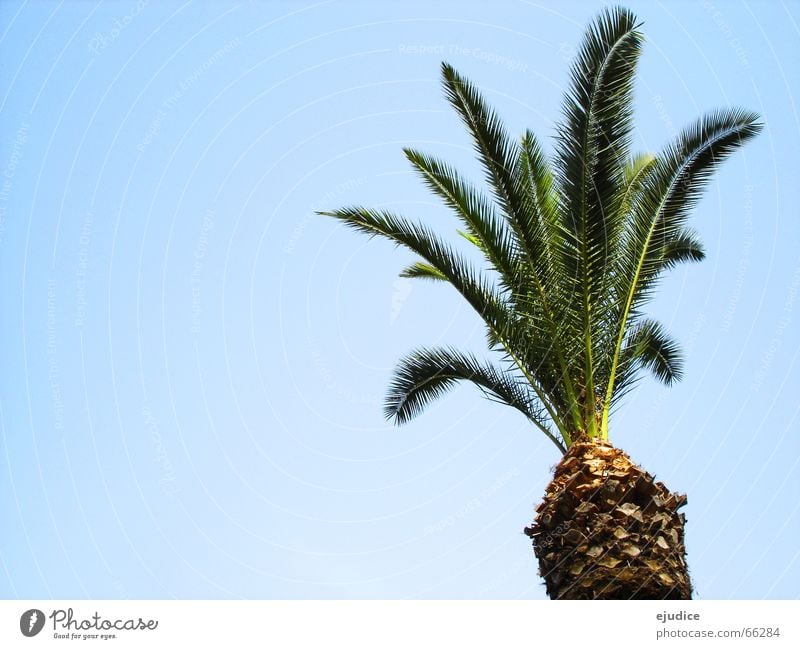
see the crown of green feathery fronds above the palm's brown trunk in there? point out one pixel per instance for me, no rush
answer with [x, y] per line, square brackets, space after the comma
[575, 244]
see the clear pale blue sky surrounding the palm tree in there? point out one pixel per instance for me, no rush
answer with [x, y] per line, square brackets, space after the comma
[193, 364]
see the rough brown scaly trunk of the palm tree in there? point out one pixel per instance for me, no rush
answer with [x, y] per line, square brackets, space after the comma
[607, 530]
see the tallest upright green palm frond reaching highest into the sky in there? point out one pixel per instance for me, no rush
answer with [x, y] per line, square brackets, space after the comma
[593, 143]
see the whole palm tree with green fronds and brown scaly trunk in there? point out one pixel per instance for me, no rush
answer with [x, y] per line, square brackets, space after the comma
[575, 245]
